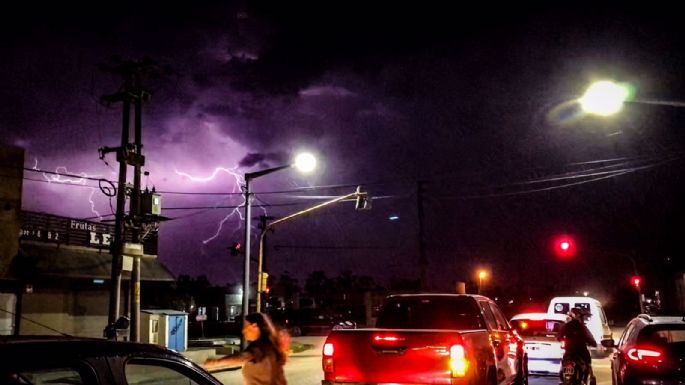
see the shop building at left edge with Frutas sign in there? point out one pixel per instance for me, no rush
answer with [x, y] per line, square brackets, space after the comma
[55, 271]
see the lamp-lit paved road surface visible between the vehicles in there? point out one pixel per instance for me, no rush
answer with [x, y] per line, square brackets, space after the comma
[305, 368]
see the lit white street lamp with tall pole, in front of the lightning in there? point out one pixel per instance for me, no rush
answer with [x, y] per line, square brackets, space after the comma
[304, 162]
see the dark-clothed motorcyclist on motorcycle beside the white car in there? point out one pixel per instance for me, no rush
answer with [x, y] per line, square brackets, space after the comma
[576, 337]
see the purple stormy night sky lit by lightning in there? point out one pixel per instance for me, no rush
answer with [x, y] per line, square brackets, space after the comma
[475, 102]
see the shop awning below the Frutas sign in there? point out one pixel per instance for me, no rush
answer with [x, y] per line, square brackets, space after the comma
[37, 260]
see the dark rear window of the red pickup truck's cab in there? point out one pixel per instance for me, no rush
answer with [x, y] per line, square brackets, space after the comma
[430, 313]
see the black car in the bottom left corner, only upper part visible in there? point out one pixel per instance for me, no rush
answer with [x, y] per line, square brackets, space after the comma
[55, 360]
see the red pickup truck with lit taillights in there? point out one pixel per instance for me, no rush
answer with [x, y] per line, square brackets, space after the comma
[454, 339]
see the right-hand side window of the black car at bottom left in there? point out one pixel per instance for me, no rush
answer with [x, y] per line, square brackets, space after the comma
[155, 372]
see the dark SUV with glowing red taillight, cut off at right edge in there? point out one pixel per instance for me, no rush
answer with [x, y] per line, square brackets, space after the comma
[650, 351]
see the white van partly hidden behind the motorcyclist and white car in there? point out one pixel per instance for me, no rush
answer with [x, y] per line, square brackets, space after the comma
[595, 320]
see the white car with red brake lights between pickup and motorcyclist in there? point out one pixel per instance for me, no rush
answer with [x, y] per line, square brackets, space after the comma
[539, 332]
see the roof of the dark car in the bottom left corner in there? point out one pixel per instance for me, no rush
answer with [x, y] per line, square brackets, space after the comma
[25, 347]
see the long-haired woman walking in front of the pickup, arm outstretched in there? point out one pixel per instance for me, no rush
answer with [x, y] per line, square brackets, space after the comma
[264, 356]
